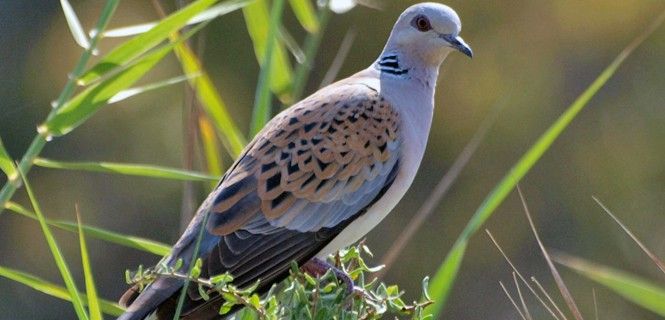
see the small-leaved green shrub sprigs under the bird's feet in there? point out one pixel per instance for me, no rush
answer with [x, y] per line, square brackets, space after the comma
[302, 296]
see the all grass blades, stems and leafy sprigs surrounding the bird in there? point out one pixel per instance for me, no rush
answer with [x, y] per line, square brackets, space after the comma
[111, 79]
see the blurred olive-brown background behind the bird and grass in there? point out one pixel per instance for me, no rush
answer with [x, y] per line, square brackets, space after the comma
[535, 56]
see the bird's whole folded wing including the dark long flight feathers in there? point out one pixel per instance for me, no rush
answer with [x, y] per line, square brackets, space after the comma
[310, 172]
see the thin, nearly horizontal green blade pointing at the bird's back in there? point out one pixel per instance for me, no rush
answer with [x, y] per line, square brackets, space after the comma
[127, 169]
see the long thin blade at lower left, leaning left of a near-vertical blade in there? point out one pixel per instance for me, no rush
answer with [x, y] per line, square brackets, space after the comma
[77, 302]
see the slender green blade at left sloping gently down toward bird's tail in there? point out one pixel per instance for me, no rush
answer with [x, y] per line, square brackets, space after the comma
[133, 242]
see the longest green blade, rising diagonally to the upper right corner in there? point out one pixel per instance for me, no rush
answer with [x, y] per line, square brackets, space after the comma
[447, 273]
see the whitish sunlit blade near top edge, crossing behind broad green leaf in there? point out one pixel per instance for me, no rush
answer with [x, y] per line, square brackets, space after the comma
[207, 15]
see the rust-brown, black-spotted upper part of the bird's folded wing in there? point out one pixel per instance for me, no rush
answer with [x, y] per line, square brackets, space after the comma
[313, 166]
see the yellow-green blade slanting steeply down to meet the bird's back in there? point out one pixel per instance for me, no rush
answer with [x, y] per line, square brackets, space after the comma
[211, 101]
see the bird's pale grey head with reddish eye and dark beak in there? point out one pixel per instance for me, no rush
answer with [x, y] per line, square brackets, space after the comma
[428, 31]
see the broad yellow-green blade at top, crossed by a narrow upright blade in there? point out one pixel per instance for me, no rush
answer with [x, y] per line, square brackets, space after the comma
[257, 18]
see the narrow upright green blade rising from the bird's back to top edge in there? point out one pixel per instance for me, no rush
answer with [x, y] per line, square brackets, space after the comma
[262, 102]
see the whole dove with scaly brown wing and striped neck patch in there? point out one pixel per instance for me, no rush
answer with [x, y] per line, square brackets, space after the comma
[319, 176]
